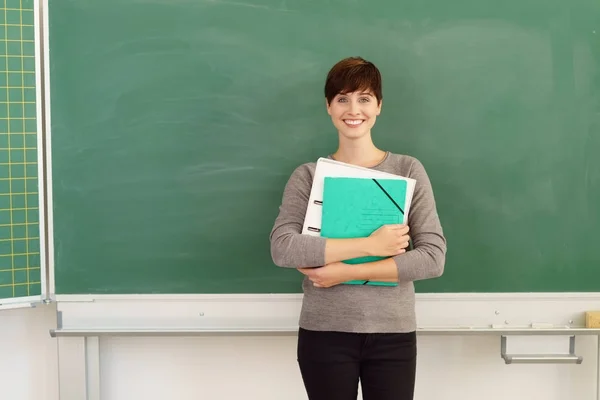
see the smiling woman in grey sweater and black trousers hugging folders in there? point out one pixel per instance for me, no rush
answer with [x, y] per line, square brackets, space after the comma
[359, 332]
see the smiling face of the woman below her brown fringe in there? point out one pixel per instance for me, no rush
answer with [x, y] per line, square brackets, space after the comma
[354, 114]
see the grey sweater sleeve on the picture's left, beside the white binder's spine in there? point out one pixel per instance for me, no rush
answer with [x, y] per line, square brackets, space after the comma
[289, 247]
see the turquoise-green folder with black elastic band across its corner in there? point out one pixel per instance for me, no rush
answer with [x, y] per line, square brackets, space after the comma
[357, 207]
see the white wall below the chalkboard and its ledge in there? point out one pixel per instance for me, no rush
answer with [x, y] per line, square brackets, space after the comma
[265, 367]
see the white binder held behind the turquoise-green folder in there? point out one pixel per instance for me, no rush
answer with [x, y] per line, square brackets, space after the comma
[330, 168]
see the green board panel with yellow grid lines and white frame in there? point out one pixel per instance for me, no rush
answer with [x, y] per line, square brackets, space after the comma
[22, 275]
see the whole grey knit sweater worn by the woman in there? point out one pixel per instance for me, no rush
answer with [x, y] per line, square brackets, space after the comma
[361, 308]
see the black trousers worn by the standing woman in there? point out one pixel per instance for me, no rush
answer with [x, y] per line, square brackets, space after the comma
[332, 363]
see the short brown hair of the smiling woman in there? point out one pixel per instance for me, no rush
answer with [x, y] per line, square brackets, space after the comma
[352, 74]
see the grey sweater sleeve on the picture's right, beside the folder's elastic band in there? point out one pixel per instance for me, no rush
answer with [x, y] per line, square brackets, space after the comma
[427, 258]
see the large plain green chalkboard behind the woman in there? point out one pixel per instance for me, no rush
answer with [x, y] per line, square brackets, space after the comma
[175, 125]
